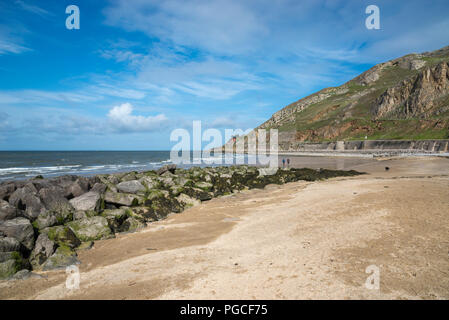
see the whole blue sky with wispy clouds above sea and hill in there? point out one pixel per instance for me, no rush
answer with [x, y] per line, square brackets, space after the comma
[137, 69]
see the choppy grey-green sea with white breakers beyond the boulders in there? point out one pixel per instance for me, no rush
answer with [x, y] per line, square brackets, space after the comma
[19, 165]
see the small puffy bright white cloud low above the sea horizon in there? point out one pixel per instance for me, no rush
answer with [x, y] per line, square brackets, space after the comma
[122, 120]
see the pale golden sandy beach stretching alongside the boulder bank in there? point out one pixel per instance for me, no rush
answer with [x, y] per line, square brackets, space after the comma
[303, 240]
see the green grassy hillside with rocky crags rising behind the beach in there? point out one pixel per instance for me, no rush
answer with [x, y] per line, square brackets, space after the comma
[405, 98]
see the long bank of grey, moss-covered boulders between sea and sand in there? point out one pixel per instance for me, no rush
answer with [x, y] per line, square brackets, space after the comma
[44, 222]
